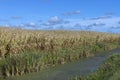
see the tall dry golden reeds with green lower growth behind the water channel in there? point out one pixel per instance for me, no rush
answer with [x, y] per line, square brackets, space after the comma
[26, 51]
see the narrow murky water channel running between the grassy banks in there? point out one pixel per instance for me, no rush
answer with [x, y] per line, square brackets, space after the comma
[64, 72]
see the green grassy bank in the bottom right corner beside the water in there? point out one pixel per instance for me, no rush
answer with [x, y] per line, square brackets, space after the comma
[110, 70]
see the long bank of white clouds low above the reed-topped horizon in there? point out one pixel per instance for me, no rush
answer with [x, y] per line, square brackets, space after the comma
[103, 24]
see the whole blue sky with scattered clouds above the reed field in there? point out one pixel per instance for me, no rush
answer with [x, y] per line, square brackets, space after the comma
[94, 15]
